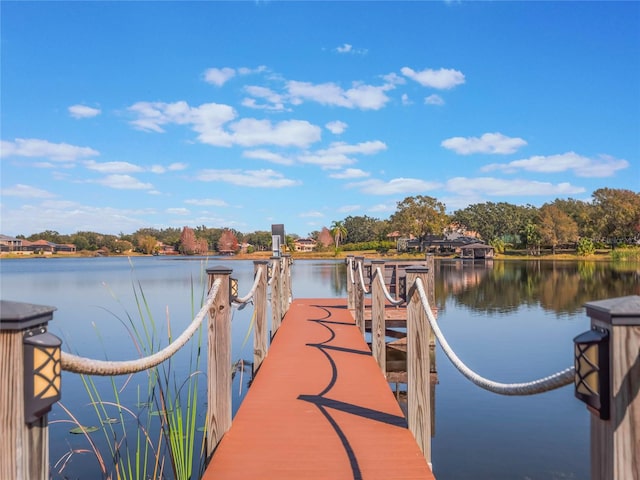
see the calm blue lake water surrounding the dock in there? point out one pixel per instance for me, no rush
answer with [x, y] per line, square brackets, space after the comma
[509, 321]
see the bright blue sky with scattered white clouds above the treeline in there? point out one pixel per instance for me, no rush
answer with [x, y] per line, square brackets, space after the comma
[121, 115]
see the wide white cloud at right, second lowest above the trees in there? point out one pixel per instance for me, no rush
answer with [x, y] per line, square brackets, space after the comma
[604, 166]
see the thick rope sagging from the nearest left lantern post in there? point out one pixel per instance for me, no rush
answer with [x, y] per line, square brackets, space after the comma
[75, 364]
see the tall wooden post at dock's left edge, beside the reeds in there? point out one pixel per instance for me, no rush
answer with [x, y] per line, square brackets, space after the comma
[219, 359]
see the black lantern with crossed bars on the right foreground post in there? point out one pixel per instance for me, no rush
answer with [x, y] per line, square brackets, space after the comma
[592, 370]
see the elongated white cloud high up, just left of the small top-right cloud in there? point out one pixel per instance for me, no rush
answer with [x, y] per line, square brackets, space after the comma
[365, 97]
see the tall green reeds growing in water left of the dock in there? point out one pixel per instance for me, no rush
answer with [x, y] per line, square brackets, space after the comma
[158, 439]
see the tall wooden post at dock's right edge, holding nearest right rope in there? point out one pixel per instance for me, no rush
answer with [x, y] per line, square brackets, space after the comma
[418, 360]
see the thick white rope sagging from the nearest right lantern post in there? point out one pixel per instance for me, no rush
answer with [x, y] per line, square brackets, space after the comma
[557, 380]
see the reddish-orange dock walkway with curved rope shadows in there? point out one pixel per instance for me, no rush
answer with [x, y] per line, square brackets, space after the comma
[319, 408]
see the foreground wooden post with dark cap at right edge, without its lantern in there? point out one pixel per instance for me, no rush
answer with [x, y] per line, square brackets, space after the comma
[615, 443]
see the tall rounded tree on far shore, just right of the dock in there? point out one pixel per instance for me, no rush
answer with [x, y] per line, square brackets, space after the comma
[420, 216]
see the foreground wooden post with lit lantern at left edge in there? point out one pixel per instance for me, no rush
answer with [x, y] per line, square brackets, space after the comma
[29, 386]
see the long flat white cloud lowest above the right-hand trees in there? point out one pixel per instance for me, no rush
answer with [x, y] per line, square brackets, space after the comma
[499, 187]
